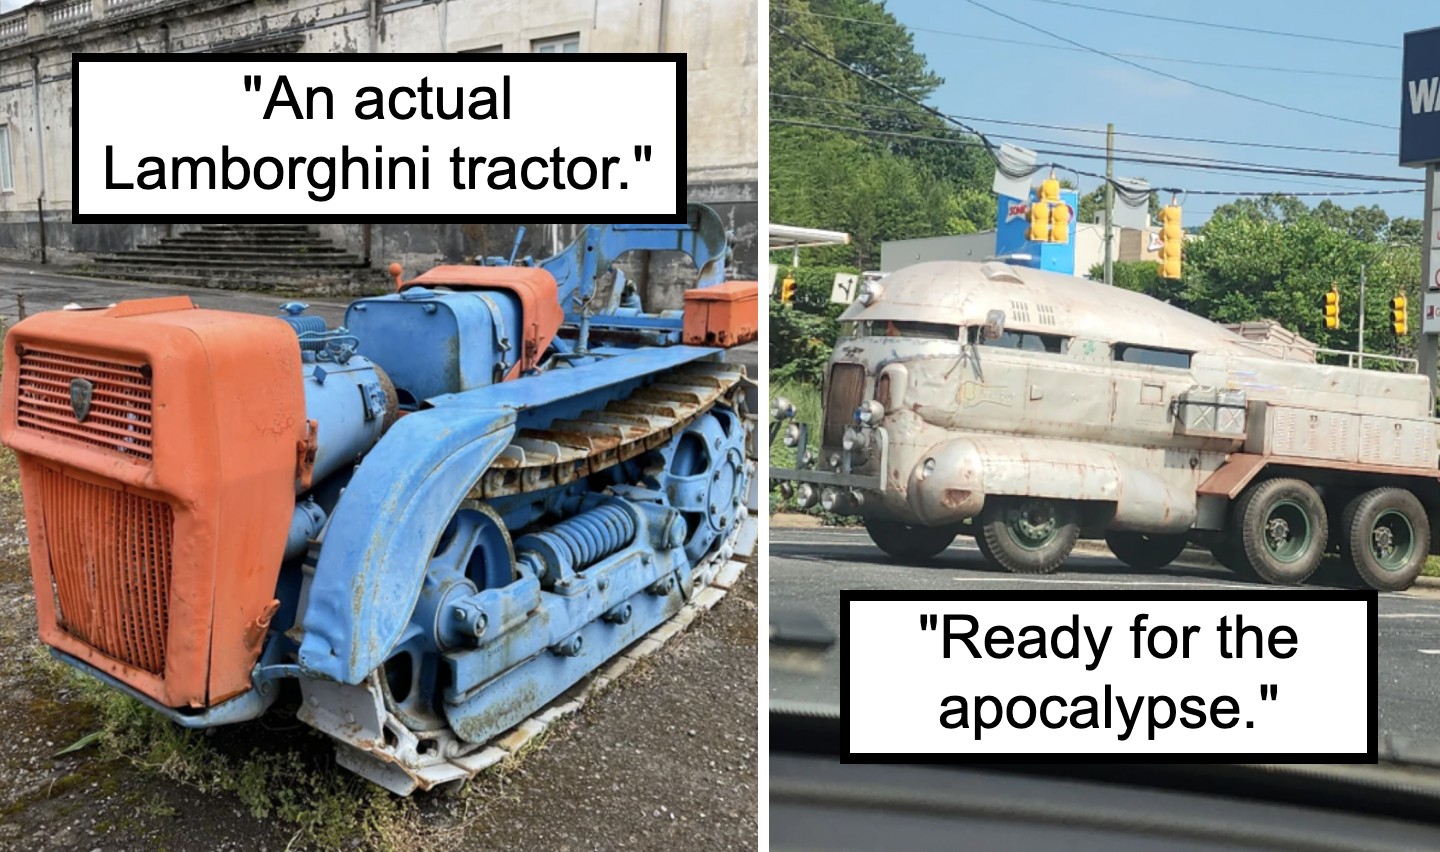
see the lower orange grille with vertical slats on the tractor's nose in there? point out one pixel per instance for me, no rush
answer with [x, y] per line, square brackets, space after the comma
[110, 562]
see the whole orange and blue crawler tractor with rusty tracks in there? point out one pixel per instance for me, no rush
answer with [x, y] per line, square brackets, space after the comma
[437, 519]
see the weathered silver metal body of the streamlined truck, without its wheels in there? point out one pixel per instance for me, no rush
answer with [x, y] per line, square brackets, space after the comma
[1074, 418]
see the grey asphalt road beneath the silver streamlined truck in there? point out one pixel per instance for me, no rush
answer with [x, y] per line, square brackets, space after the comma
[810, 566]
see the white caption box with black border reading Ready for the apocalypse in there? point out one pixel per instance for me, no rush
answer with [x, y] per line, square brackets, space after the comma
[1133, 674]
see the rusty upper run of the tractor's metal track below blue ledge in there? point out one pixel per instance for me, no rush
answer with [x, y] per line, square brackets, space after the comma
[600, 440]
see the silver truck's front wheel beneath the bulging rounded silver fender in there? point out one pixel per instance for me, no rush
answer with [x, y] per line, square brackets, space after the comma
[1029, 536]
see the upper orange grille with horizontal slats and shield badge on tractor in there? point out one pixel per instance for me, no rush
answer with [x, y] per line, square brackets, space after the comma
[119, 417]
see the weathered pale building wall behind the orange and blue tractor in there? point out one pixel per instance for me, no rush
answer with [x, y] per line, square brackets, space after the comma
[719, 38]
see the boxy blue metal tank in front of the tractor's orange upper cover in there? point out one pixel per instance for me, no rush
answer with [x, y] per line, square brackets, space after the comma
[438, 342]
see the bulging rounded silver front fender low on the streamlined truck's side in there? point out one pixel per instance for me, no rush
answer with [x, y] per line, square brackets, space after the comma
[967, 471]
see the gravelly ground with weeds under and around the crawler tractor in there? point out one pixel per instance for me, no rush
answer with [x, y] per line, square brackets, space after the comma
[663, 759]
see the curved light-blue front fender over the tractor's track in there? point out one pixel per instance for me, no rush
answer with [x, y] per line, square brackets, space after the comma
[379, 540]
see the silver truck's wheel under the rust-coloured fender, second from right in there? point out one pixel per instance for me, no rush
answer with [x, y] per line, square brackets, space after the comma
[1282, 529]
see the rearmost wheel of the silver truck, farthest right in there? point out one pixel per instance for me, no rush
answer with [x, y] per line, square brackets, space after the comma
[1386, 538]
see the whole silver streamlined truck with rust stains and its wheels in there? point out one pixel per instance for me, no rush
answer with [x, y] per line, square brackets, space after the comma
[1032, 409]
